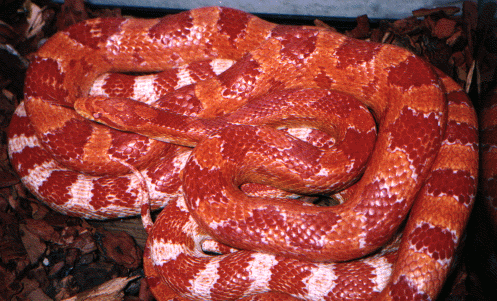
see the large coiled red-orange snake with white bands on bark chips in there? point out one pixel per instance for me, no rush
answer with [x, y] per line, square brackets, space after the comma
[233, 81]
